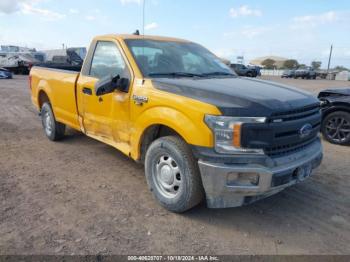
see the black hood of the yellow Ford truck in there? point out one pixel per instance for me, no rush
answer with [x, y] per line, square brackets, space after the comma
[239, 96]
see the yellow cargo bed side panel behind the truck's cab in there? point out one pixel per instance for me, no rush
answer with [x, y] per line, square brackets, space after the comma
[60, 87]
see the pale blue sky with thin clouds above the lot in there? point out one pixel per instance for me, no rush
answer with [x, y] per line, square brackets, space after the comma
[298, 29]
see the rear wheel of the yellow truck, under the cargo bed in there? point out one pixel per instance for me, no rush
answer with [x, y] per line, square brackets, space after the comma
[53, 129]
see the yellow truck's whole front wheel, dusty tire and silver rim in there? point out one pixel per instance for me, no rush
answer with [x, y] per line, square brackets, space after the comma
[172, 174]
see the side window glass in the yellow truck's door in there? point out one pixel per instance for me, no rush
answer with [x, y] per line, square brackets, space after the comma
[108, 60]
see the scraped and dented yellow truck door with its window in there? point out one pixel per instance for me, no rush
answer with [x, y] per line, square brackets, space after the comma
[105, 117]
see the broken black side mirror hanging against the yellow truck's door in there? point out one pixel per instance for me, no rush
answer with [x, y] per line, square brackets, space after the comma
[108, 84]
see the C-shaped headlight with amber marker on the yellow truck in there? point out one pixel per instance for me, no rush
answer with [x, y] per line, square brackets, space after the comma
[227, 133]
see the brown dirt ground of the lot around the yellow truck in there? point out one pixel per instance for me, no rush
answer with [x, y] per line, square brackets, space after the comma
[80, 196]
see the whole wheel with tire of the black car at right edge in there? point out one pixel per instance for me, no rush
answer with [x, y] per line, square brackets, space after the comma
[336, 128]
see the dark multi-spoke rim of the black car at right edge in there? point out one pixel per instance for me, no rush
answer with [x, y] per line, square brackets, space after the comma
[338, 129]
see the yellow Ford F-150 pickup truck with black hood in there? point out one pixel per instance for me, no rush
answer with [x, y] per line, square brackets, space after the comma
[199, 129]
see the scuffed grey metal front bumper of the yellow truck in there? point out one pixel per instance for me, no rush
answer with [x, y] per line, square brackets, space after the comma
[273, 176]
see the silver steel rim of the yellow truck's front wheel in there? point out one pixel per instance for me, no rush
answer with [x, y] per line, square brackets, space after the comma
[167, 177]
